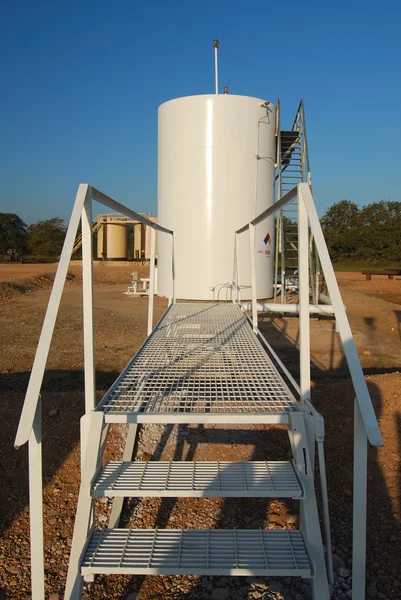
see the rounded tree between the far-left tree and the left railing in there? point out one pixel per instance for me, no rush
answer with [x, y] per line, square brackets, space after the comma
[46, 238]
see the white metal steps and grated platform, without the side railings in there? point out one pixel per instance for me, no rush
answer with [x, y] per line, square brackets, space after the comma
[201, 364]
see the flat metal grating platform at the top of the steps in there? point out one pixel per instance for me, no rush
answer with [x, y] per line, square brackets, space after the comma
[202, 363]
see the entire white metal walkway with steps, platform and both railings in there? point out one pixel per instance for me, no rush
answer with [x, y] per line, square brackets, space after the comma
[202, 363]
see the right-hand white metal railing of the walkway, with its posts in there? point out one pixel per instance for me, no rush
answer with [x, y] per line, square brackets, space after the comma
[366, 426]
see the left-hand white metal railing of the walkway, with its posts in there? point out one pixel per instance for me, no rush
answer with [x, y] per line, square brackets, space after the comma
[29, 428]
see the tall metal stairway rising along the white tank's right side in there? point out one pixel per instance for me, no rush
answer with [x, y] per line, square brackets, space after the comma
[292, 167]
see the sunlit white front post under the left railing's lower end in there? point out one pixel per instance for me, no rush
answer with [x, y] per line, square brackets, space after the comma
[36, 507]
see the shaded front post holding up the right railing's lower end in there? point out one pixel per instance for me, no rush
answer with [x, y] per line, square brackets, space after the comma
[359, 506]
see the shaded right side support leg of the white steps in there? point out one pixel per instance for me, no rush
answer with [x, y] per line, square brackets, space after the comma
[309, 517]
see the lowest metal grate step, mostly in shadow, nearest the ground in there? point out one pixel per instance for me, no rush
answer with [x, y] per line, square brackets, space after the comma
[197, 552]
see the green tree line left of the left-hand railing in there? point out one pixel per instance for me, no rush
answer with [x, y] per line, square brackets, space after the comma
[42, 241]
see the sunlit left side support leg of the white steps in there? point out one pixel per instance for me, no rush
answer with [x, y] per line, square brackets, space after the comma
[92, 425]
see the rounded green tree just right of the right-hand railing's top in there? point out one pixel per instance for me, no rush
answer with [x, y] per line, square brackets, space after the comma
[340, 227]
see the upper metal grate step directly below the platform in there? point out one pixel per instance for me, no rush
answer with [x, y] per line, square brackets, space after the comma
[255, 479]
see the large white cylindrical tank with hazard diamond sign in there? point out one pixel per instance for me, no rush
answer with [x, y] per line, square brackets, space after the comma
[216, 159]
